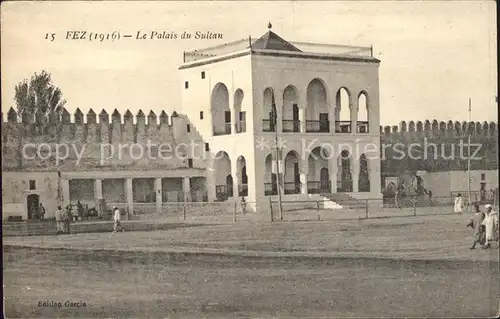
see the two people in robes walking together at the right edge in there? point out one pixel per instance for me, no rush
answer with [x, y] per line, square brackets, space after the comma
[485, 226]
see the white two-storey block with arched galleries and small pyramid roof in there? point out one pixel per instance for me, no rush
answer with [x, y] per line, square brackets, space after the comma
[326, 99]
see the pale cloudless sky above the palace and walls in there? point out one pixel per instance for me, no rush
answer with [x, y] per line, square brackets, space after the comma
[435, 55]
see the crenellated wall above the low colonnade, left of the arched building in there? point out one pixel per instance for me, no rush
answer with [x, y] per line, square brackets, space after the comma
[60, 142]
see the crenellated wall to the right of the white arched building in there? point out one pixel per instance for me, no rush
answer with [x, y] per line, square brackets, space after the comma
[441, 146]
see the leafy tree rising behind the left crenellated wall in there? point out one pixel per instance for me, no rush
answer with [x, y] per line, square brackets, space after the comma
[38, 94]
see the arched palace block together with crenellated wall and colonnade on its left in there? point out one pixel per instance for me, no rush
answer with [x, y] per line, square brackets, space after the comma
[320, 103]
